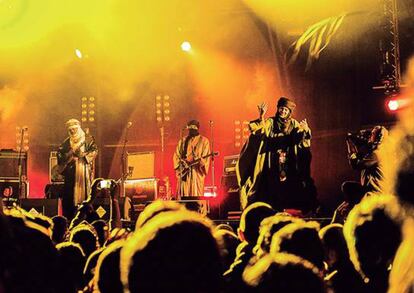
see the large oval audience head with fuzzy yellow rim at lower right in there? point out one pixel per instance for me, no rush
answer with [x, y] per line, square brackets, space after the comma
[373, 234]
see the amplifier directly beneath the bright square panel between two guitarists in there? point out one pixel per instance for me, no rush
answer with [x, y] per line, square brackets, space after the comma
[142, 190]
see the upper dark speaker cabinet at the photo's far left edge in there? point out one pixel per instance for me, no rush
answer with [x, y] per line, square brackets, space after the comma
[9, 164]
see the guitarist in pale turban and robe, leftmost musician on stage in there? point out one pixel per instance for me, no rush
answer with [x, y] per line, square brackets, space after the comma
[76, 156]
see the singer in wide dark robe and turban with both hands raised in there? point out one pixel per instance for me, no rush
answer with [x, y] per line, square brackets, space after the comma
[274, 164]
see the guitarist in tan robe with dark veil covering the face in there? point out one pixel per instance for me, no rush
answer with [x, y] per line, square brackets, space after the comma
[191, 161]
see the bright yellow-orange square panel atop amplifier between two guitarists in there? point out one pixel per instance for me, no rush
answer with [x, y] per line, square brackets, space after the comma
[142, 165]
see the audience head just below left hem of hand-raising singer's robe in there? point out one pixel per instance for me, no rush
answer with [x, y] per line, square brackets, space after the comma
[250, 221]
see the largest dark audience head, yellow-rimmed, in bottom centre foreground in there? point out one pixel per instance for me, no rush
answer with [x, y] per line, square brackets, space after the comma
[173, 252]
